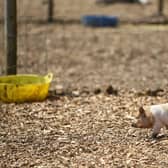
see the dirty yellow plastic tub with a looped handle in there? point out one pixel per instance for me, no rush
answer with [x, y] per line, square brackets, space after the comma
[24, 88]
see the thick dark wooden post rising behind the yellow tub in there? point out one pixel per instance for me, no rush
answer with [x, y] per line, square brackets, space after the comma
[11, 36]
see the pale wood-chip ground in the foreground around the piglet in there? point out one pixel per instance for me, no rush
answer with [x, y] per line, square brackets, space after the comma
[86, 131]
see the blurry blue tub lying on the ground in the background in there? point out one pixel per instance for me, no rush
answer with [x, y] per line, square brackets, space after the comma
[100, 21]
